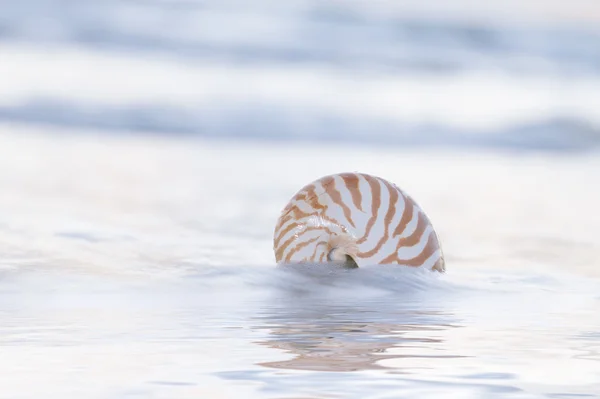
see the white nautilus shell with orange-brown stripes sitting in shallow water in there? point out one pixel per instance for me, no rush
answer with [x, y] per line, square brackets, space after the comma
[356, 220]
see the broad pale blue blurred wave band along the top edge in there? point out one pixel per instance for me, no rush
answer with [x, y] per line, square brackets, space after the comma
[317, 33]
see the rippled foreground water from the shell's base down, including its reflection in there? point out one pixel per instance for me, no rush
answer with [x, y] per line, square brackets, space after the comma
[268, 333]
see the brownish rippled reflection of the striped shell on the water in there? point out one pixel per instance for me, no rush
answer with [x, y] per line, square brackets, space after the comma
[342, 338]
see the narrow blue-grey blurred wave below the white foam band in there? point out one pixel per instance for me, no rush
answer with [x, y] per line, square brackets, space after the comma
[281, 124]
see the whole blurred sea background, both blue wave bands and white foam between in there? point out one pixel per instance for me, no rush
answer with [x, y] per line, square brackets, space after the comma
[299, 71]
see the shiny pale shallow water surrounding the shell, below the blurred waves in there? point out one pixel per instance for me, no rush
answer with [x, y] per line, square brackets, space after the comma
[139, 267]
